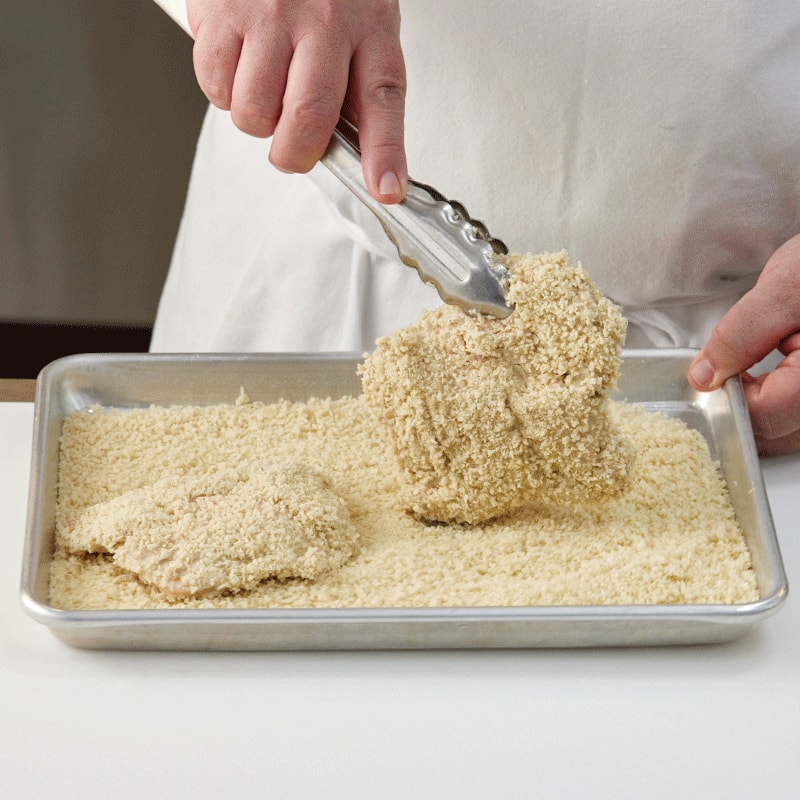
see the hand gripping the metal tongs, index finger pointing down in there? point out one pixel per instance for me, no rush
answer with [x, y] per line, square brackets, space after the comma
[286, 69]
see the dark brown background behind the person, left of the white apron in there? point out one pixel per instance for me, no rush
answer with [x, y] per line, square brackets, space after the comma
[99, 116]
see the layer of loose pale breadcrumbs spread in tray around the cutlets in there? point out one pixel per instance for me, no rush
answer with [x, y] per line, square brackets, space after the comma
[670, 536]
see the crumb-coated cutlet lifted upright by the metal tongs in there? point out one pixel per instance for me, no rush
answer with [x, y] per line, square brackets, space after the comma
[487, 415]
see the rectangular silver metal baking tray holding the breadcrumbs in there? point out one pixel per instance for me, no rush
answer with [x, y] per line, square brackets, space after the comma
[652, 378]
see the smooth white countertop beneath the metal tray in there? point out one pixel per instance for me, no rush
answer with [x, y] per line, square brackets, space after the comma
[705, 722]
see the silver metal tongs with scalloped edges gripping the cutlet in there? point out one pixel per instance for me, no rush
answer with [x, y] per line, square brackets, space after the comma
[436, 236]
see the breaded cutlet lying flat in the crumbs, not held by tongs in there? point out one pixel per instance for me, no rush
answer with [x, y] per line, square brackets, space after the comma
[224, 531]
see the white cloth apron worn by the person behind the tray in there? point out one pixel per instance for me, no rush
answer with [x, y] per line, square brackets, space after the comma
[658, 142]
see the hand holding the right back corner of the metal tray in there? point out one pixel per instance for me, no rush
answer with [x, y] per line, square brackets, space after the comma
[765, 319]
